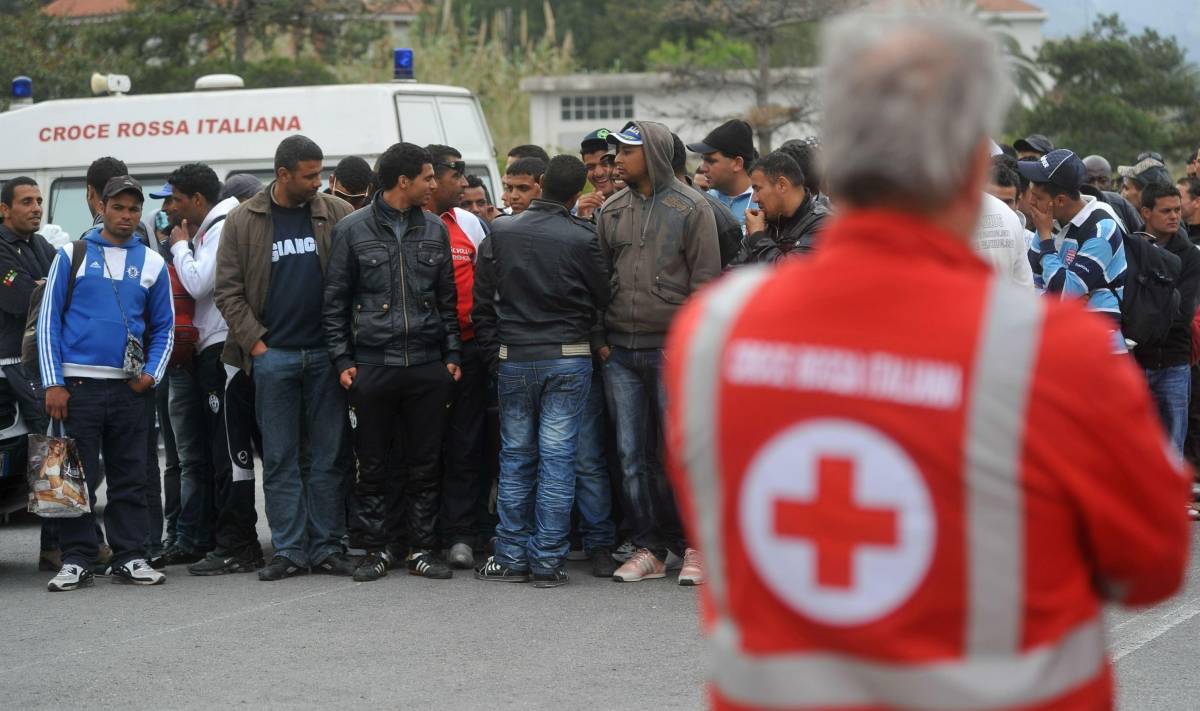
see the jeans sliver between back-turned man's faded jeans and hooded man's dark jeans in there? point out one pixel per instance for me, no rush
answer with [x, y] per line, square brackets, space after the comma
[593, 493]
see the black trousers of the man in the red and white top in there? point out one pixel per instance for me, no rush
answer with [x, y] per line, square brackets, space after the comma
[465, 486]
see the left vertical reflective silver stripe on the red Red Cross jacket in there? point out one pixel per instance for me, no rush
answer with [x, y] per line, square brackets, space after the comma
[700, 408]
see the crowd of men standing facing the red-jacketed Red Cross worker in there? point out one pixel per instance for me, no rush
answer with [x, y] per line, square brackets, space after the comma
[356, 339]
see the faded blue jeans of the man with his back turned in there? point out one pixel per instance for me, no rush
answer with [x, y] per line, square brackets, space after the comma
[542, 405]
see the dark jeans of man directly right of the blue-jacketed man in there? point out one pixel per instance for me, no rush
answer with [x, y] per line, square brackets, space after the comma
[194, 529]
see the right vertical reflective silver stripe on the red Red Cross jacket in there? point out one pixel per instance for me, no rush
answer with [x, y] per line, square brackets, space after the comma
[995, 428]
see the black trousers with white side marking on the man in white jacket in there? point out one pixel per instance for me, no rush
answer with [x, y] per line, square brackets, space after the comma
[231, 431]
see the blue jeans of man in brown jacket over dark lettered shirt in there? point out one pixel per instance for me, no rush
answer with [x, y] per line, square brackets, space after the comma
[296, 391]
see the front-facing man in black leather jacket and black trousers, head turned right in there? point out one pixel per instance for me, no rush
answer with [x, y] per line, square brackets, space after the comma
[392, 326]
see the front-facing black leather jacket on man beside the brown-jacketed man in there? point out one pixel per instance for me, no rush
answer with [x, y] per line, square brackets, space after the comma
[391, 302]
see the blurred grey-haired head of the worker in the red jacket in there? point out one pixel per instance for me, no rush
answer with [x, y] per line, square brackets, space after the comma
[907, 100]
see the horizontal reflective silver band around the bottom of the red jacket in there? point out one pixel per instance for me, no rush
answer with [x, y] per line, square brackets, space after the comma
[979, 684]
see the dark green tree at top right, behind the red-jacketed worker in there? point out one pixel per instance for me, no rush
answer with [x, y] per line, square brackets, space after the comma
[1117, 95]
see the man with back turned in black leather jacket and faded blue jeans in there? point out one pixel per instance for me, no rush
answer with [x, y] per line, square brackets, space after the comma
[542, 284]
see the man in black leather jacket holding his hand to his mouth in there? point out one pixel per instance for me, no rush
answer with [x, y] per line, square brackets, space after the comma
[788, 220]
